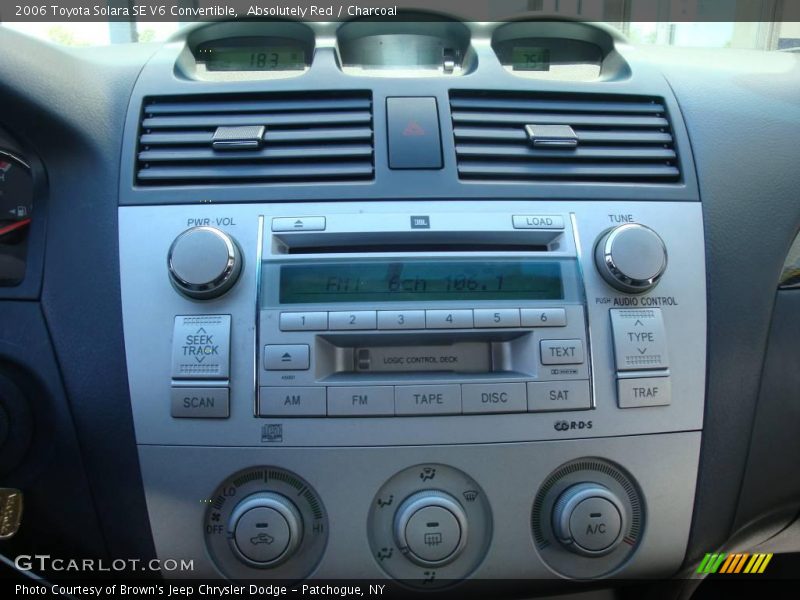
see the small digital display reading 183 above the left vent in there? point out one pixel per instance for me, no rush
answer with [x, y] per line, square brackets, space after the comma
[254, 58]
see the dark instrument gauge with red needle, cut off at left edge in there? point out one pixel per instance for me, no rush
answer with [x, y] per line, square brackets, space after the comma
[16, 208]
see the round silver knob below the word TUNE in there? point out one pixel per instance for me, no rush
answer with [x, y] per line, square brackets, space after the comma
[632, 258]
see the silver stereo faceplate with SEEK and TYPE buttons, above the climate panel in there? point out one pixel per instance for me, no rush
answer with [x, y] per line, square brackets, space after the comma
[644, 352]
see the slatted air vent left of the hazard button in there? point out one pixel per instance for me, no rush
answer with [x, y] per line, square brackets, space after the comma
[312, 137]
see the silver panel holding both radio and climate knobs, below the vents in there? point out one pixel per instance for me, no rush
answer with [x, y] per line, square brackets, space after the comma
[357, 390]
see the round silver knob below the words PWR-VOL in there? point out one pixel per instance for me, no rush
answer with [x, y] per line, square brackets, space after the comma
[204, 262]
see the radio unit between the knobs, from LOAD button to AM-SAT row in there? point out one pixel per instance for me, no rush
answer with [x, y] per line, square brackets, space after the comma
[384, 319]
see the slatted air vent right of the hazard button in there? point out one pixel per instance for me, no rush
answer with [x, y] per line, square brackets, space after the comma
[598, 138]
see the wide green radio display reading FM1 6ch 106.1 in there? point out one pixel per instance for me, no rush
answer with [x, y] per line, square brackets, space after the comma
[420, 281]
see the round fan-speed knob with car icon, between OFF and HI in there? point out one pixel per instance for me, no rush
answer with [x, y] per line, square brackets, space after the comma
[265, 529]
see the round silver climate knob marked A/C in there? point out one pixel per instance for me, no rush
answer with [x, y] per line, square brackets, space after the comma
[589, 519]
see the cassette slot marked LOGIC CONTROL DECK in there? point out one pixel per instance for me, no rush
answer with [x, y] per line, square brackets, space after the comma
[368, 357]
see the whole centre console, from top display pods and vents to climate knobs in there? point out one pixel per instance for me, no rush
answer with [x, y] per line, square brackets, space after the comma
[423, 322]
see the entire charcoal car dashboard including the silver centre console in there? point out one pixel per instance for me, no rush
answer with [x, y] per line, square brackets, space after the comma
[420, 300]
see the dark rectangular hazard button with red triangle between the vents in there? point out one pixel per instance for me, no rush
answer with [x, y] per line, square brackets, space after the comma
[414, 138]
